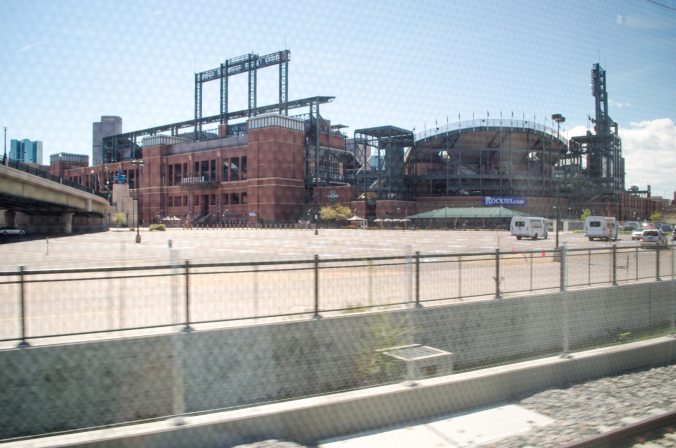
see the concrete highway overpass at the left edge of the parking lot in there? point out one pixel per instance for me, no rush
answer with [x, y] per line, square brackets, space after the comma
[39, 205]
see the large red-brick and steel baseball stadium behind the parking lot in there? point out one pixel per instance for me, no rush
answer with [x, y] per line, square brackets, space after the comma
[273, 167]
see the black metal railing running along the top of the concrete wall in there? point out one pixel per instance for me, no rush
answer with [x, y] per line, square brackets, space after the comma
[49, 303]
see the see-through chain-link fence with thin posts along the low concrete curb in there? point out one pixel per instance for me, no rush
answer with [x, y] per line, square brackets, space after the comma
[274, 331]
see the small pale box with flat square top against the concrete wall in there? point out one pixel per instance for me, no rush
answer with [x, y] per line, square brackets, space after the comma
[421, 361]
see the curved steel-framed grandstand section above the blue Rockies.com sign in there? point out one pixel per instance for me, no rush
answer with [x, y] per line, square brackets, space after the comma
[486, 156]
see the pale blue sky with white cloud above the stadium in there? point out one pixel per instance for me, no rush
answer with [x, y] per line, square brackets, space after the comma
[410, 64]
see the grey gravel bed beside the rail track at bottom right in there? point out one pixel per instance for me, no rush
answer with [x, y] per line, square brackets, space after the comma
[595, 407]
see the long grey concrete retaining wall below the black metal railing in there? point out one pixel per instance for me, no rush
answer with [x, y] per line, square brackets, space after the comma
[71, 386]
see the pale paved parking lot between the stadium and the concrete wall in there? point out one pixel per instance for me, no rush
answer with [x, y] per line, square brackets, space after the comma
[107, 300]
